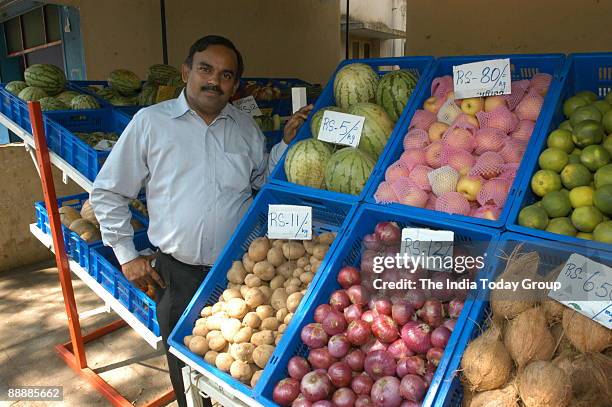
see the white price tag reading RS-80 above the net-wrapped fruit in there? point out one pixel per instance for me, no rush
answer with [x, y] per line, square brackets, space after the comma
[484, 78]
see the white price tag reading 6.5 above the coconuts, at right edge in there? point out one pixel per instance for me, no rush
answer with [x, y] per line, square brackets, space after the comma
[586, 286]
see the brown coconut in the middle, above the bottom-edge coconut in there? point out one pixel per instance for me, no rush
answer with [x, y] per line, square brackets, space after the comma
[528, 338]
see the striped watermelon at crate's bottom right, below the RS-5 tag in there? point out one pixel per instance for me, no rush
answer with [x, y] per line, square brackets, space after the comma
[348, 170]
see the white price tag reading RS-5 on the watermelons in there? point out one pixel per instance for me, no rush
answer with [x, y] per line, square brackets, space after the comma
[341, 128]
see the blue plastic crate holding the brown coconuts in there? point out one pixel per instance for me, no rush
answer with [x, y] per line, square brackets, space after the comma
[552, 254]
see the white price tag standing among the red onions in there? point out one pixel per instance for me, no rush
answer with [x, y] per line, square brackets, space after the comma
[432, 246]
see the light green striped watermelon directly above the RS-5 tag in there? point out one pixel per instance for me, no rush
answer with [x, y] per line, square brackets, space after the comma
[355, 83]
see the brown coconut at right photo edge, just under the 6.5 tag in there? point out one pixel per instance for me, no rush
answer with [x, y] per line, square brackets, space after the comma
[586, 335]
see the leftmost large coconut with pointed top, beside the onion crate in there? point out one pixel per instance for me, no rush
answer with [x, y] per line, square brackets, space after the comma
[486, 363]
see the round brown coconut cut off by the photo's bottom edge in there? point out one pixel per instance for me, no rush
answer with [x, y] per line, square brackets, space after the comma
[542, 384]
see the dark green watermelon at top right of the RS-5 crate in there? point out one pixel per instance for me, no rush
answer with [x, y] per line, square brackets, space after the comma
[394, 90]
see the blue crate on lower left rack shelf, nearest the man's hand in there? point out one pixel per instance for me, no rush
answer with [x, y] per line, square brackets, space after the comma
[106, 270]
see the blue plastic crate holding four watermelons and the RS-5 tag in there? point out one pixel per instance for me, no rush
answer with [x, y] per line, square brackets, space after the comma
[420, 66]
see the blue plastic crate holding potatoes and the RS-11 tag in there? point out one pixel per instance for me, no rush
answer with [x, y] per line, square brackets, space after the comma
[327, 215]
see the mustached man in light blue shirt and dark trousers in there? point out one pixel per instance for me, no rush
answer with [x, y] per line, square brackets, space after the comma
[198, 158]
